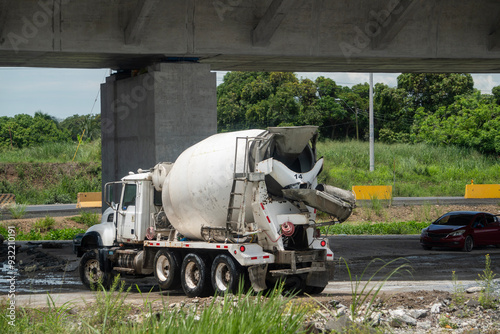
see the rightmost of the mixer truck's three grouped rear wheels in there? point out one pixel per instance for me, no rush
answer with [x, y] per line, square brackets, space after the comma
[225, 274]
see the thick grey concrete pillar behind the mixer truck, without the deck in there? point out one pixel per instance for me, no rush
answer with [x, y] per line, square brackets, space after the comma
[153, 116]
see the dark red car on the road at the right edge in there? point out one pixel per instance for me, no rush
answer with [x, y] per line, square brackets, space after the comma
[462, 229]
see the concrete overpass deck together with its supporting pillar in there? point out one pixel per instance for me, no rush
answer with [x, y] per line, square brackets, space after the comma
[169, 102]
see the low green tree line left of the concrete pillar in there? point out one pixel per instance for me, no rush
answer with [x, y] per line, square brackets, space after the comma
[24, 130]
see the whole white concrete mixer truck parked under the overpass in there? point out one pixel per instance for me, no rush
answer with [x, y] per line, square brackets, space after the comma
[236, 207]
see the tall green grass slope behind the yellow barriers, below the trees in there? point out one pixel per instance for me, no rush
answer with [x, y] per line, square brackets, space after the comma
[414, 170]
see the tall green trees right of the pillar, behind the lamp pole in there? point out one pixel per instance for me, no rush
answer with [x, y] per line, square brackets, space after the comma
[436, 108]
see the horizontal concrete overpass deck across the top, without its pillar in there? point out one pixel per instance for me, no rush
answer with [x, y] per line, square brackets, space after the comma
[291, 35]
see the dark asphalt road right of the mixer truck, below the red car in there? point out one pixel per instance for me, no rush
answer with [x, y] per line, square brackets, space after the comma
[435, 264]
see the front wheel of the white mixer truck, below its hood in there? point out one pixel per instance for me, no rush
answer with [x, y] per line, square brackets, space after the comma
[91, 274]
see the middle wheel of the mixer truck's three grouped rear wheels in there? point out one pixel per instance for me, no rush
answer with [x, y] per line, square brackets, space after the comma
[195, 276]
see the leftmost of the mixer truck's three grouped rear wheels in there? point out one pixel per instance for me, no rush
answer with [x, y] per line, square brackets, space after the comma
[167, 269]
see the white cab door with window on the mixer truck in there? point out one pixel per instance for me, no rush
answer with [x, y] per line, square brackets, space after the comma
[127, 213]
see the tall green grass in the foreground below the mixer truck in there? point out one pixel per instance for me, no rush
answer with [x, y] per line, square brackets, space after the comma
[242, 313]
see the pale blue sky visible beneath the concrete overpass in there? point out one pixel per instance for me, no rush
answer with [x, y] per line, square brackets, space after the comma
[65, 92]
